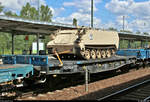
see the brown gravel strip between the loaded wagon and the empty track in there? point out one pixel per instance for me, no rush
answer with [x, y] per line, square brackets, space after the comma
[96, 89]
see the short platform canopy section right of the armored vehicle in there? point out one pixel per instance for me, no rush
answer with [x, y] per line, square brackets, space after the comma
[132, 36]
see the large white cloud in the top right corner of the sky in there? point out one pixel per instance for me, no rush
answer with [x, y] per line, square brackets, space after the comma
[125, 7]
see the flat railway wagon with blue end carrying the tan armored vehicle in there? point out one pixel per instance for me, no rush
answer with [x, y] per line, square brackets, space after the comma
[53, 66]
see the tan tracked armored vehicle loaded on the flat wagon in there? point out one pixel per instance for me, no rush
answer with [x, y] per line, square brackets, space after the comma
[84, 43]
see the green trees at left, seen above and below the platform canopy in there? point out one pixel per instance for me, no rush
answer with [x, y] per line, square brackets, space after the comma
[27, 12]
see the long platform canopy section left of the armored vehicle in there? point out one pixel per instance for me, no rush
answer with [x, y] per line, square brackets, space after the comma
[24, 26]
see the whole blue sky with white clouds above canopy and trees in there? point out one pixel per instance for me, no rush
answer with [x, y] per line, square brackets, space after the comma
[107, 13]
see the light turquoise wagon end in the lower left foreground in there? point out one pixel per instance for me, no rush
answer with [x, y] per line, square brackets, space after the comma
[14, 71]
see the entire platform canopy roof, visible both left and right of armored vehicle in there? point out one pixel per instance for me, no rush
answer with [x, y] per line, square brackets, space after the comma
[19, 26]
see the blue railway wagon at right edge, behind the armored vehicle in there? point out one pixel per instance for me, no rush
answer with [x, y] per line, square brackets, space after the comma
[140, 54]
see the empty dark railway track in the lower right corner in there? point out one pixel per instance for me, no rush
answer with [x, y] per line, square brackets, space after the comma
[137, 92]
